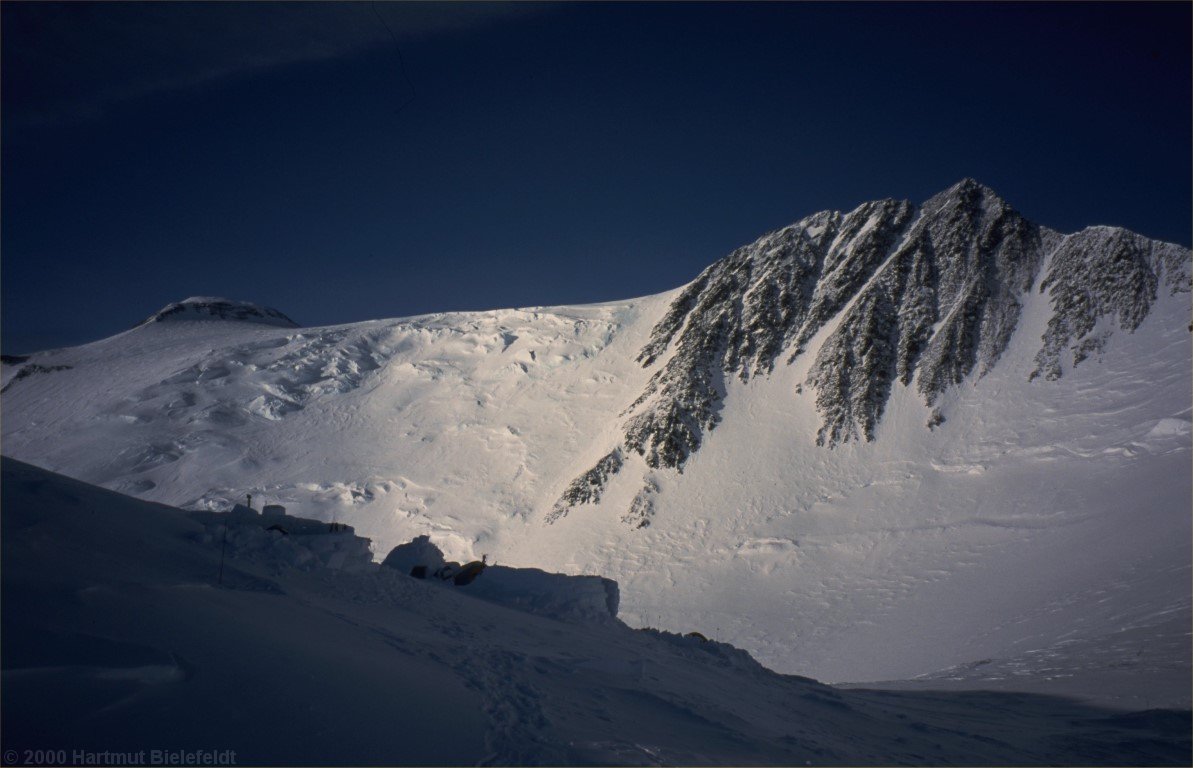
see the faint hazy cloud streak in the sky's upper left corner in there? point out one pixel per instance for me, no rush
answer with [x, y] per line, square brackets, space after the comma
[72, 61]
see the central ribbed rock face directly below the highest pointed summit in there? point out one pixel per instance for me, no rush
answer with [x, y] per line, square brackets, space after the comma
[963, 265]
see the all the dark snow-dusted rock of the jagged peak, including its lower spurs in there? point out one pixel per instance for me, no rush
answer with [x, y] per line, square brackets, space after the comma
[929, 294]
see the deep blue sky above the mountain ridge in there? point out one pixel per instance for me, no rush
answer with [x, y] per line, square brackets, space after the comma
[537, 154]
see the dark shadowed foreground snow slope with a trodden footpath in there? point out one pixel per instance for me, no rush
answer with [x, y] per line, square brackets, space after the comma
[120, 637]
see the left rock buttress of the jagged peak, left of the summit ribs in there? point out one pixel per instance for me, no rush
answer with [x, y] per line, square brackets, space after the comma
[740, 315]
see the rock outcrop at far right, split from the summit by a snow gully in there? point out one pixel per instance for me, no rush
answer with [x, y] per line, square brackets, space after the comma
[1103, 277]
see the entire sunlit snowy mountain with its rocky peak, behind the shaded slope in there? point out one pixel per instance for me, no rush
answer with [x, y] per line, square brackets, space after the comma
[868, 447]
